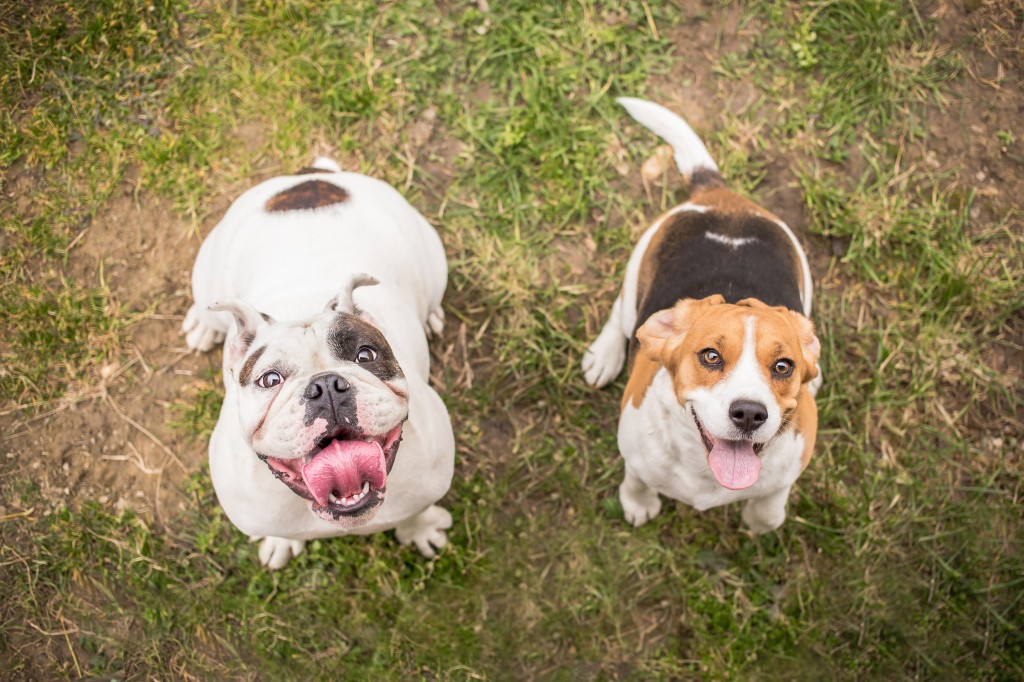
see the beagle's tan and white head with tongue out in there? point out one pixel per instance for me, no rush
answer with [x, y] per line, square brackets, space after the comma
[737, 370]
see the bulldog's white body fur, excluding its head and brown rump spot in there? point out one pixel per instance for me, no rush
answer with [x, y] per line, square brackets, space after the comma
[288, 265]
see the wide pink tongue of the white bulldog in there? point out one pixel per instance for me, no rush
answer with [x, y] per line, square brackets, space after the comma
[343, 467]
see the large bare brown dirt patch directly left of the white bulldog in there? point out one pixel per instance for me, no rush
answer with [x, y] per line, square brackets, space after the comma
[114, 444]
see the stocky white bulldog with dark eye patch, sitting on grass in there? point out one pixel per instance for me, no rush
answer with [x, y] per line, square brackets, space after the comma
[324, 287]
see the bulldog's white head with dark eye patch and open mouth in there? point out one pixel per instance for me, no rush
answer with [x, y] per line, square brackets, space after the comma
[322, 402]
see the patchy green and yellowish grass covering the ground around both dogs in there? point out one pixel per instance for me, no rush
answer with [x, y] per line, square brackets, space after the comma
[902, 556]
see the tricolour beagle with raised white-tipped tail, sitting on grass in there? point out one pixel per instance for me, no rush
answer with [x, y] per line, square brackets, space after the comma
[714, 317]
